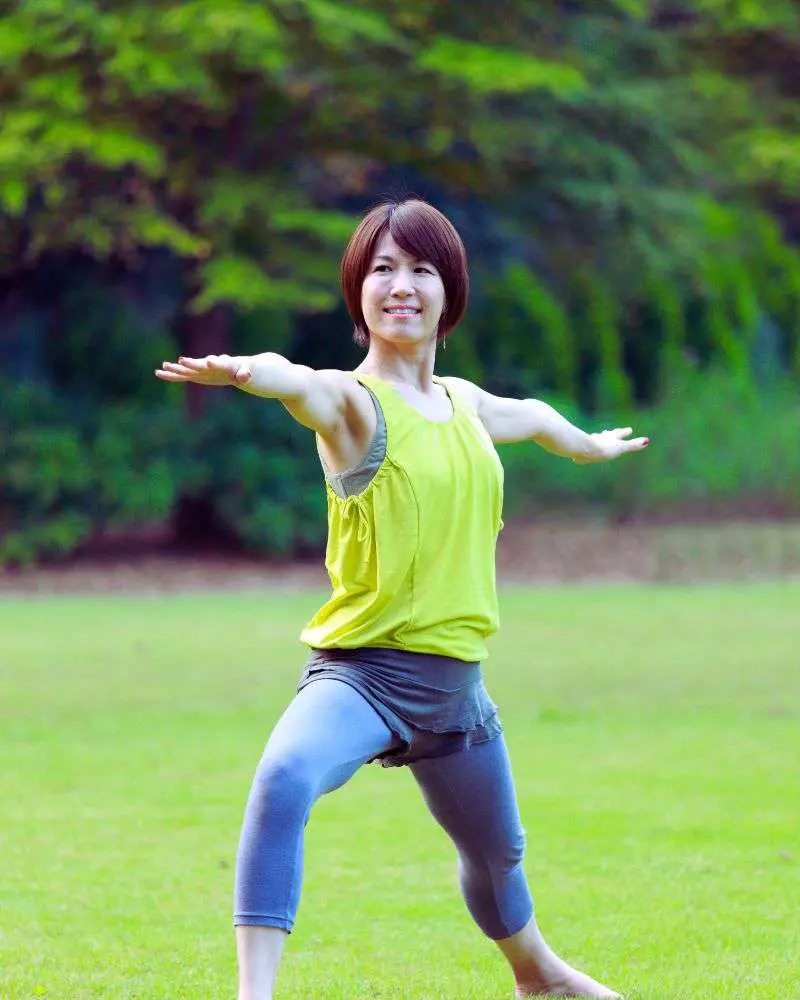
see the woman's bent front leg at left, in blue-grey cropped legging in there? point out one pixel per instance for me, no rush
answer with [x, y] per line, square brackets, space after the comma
[327, 732]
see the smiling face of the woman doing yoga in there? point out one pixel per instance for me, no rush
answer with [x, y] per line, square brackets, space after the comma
[402, 298]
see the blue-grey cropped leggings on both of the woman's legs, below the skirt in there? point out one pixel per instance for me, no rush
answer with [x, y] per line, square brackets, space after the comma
[327, 733]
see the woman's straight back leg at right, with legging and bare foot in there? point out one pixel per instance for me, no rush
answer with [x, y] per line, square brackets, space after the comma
[471, 795]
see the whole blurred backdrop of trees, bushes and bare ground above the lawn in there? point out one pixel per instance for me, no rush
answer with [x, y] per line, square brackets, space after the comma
[182, 177]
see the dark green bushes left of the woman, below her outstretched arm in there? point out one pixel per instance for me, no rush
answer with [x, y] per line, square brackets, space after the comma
[73, 473]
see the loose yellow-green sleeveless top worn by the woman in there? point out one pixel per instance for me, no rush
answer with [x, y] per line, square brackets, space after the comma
[411, 559]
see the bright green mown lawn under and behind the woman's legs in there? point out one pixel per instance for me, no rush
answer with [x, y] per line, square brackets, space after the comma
[655, 741]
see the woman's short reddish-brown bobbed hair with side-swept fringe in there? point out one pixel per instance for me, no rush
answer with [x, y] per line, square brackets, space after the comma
[420, 230]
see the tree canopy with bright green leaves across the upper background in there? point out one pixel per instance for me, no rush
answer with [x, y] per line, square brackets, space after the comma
[631, 164]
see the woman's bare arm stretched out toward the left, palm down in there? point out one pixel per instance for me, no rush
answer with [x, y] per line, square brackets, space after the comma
[320, 400]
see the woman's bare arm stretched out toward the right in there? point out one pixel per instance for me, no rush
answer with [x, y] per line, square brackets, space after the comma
[510, 420]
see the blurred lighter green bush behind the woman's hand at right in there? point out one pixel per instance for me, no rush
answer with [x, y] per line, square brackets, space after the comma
[720, 445]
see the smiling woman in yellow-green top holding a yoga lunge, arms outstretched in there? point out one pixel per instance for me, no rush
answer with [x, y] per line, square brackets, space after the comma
[414, 491]
